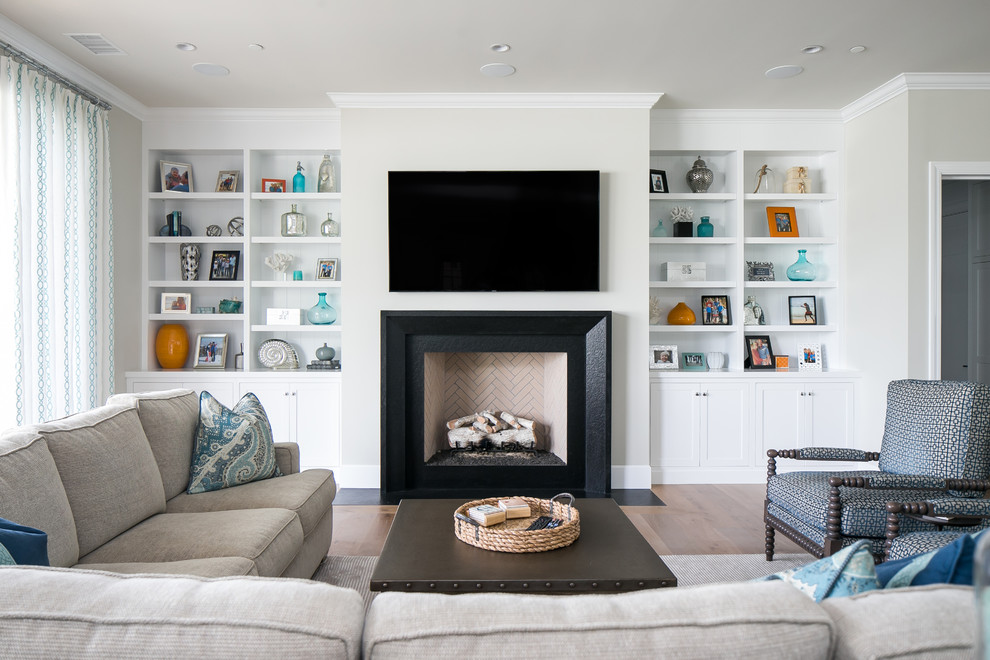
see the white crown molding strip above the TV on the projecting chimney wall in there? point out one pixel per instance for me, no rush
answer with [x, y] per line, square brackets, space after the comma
[484, 100]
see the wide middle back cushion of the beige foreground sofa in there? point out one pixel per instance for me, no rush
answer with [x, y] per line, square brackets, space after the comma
[755, 620]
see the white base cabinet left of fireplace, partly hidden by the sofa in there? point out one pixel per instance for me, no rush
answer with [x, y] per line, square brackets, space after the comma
[305, 413]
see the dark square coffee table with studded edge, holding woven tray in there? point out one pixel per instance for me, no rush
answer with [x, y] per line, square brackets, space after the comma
[421, 553]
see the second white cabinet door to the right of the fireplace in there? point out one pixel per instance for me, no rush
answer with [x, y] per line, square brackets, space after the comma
[726, 421]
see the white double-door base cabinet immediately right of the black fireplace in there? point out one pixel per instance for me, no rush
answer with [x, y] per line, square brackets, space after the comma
[703, 423]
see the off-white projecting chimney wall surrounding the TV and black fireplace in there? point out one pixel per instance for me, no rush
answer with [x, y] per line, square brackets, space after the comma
[613, 141]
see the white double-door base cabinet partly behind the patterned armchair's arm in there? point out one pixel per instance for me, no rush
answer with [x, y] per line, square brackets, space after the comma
[808, 413]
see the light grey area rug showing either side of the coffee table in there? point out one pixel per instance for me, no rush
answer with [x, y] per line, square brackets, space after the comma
[691, 570]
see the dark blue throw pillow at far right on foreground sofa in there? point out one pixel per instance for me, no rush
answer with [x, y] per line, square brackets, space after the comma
[950, 564]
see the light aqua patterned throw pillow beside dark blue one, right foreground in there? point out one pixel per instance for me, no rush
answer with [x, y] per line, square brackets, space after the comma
[848, 572]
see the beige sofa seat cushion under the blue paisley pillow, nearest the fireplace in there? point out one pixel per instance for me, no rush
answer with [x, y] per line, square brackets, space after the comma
[309, 494]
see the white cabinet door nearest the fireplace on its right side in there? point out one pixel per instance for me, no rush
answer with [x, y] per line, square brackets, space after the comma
[675, 424]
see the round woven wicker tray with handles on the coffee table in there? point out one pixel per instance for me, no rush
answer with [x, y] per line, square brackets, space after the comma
[512, 536]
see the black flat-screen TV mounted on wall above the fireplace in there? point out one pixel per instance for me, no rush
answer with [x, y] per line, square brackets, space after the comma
[493, 231]
